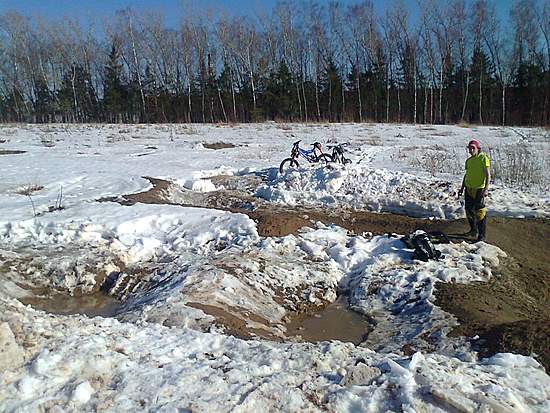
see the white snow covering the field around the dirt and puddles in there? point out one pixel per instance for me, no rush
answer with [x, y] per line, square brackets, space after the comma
[162, 352]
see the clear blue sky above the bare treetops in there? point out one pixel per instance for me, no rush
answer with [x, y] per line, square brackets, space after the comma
[88, 10]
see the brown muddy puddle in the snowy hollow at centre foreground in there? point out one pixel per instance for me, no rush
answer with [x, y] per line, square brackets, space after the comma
[335, 322]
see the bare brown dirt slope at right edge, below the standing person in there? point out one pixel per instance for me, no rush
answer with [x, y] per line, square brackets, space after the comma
[511, 312]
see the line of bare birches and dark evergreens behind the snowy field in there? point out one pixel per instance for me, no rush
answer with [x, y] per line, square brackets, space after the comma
[456, 61]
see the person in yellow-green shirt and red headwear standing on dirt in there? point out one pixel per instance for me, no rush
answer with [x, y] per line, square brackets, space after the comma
[476, 182]
